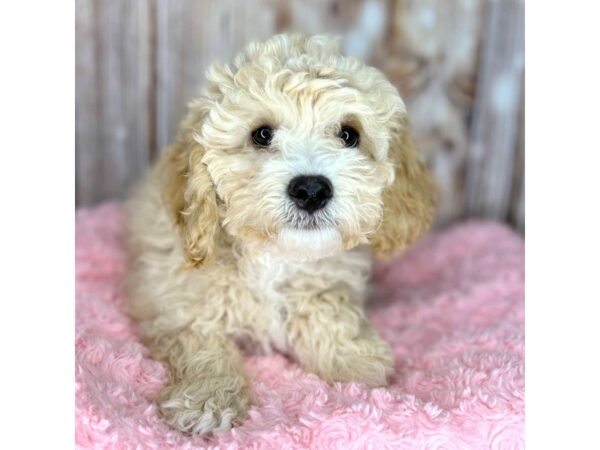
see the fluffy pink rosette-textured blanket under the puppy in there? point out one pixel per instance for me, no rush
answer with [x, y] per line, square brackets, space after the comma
[452, 308]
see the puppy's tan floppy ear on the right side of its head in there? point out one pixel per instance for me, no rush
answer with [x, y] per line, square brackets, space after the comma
[408, 204]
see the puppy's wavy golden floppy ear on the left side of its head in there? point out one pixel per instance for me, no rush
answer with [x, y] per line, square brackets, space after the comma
[190, 194]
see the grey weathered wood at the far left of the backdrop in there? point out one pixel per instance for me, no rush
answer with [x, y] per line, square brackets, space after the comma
[112, 97]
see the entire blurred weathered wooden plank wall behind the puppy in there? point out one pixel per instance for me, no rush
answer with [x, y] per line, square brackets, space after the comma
[457, 63]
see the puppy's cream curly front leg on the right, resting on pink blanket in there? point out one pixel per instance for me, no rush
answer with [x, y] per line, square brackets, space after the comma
[331, 337]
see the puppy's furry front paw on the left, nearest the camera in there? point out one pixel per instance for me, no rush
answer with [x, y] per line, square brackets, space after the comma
[205, 405]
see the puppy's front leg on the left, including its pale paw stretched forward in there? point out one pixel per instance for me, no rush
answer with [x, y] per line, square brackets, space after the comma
[208, 389]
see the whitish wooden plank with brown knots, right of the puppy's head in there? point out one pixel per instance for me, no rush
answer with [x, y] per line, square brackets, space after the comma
[432, 58]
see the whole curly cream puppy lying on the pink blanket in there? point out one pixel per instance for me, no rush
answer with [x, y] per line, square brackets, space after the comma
[260, 221]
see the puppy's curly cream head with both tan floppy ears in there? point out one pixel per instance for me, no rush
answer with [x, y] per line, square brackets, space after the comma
[299, 149]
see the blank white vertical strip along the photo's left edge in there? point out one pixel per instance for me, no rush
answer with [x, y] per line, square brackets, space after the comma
[37, 220]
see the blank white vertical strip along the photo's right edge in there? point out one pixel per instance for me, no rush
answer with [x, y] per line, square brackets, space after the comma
[562, 162]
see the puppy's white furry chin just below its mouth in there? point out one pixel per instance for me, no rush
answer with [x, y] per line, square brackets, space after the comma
[308, 244]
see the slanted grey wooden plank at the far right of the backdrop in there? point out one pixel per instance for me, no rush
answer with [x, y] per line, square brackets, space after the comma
[494, 131]
